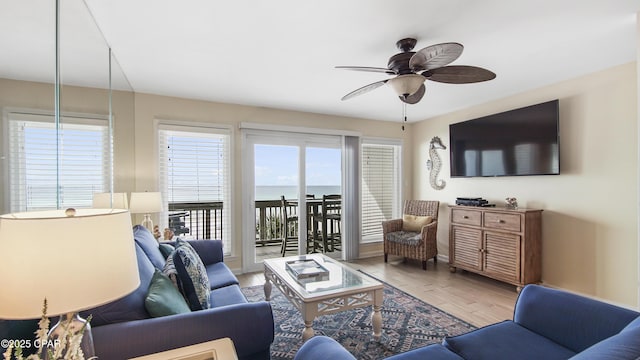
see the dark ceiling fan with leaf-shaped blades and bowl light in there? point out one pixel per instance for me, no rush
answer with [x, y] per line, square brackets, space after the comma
[413, 68]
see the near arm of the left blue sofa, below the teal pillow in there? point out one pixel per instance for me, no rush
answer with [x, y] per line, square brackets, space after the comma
[249, 325]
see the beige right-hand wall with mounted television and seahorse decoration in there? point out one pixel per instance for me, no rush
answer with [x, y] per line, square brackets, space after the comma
[590, 242]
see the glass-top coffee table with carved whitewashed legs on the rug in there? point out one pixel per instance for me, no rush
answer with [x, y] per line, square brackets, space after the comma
[318, 285]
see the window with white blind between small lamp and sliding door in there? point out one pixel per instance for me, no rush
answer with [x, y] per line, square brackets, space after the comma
[195, 180]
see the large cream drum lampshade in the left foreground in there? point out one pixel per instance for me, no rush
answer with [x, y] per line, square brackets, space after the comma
[75, 262]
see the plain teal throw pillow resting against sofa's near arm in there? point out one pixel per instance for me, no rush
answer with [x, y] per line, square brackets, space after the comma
[163, 298]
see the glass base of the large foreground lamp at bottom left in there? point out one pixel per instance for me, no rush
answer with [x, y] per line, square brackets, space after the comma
[62, 336]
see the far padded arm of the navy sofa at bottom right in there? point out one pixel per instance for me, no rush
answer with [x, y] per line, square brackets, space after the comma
[573, 321]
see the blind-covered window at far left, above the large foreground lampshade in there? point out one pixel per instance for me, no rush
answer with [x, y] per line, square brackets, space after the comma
[34, 168]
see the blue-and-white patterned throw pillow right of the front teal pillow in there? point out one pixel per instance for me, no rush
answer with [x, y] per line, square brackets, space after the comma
[192, 276]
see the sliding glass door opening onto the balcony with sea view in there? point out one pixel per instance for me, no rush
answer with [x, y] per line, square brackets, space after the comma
[285, 177]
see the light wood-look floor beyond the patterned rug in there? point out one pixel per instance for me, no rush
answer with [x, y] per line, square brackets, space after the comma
[473, 298]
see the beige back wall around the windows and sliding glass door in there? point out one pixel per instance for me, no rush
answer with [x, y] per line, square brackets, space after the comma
[152, 107]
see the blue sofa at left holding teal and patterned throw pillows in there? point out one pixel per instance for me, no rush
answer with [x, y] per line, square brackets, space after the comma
[124, 329]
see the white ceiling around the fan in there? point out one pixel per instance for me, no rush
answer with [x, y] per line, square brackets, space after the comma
[282, 53]
